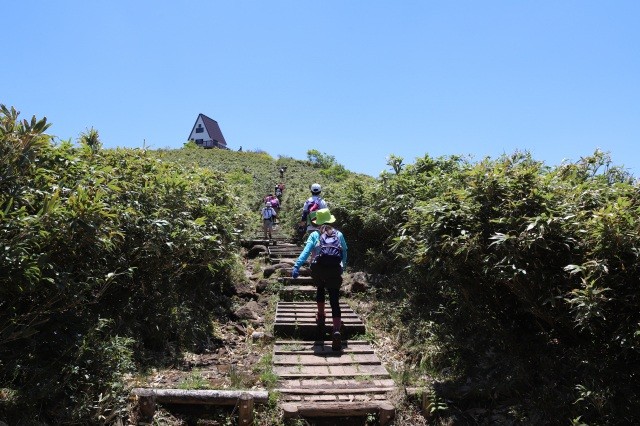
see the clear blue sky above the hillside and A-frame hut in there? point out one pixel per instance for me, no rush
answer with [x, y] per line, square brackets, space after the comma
[355, 79]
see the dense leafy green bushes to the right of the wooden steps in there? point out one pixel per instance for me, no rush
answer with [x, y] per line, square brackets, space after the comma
[517, 279]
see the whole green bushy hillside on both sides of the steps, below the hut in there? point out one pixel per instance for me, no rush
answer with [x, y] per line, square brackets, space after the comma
[506, 289]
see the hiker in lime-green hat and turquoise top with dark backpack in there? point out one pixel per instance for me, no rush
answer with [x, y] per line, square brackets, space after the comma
[328, 250]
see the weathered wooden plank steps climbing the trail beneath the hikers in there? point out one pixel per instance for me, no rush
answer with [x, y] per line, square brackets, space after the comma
[316, 382]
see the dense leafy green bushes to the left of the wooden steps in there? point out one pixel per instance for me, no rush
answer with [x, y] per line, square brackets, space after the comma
[109, 257]
